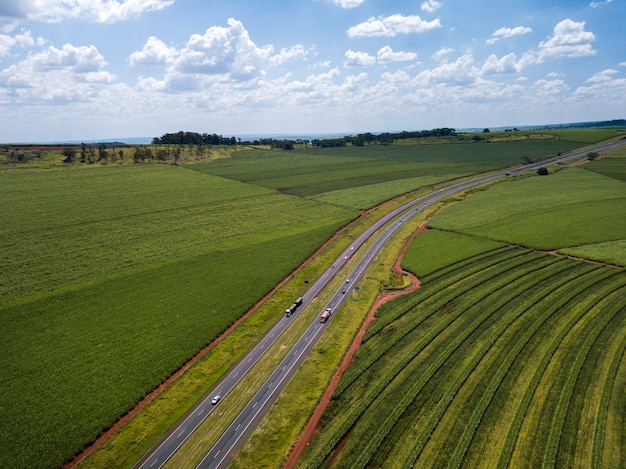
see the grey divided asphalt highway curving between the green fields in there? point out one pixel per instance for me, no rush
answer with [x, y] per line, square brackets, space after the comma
[229, 443]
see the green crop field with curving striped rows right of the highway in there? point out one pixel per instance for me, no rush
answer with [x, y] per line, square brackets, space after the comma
[465, 366]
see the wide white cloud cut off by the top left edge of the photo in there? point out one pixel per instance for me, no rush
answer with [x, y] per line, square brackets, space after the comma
[101, 11]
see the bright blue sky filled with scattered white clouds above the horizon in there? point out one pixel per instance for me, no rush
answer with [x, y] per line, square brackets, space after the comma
[97, 69]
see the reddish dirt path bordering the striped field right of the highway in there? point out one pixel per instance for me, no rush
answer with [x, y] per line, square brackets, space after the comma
[313, 426]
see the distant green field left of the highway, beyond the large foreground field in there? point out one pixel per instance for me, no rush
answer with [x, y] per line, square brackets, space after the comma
[361, 177]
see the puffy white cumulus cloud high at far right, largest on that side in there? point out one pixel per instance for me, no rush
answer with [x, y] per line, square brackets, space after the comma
[569, 40]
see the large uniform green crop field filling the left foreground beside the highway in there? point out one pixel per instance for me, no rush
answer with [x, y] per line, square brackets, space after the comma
[113, 277]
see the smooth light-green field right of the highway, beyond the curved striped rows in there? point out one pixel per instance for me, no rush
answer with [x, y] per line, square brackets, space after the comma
[570, 208]
